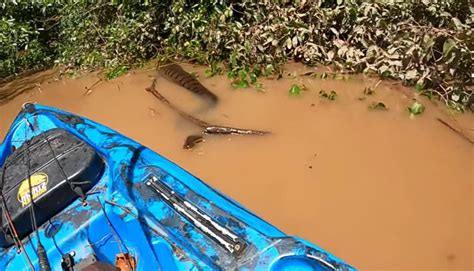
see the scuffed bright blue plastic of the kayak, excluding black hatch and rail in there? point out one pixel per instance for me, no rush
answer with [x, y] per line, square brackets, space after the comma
[150, 229]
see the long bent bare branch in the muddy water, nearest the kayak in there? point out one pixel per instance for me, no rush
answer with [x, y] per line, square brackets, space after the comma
[207, 128]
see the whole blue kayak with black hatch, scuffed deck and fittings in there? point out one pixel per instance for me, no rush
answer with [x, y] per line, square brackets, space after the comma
[76, 195]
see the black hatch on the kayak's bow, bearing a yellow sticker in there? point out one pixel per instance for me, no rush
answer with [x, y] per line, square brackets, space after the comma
[60, 169]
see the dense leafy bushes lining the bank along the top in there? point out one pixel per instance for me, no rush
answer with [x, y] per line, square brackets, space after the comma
[422, 43]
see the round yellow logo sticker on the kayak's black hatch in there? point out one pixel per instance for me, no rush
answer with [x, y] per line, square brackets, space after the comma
[38, 188]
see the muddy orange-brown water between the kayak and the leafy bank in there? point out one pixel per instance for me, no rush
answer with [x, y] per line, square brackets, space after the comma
[381, 190]
